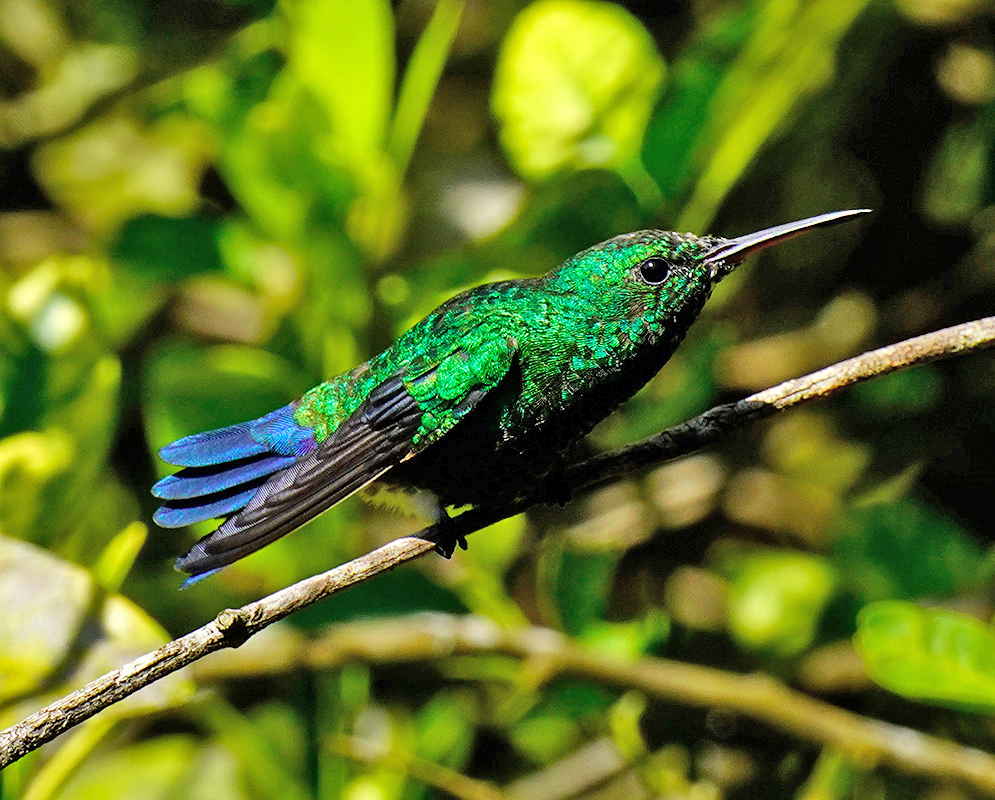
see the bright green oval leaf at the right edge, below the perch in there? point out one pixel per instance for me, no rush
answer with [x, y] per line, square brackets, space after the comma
[929, 654]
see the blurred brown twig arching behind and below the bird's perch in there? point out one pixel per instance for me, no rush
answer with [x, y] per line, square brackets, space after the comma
[423, 637]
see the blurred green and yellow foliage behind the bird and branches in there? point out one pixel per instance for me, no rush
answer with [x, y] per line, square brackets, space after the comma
[210, 206]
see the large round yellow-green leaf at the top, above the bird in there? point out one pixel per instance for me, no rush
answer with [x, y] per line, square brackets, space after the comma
[574, 86]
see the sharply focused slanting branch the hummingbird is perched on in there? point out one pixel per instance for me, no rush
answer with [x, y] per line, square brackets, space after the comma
[233, 626]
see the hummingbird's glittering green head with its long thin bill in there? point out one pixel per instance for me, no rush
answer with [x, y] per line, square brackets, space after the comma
[658, 281]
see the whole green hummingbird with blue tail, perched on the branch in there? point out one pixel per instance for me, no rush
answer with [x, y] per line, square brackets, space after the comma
[478, 403]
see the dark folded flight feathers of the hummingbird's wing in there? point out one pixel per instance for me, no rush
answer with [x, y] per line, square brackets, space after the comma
[376, 437]
